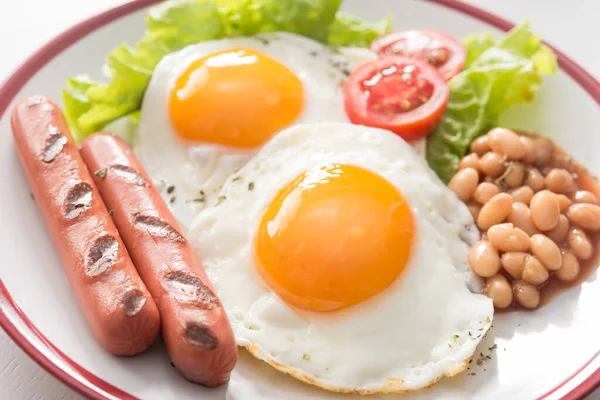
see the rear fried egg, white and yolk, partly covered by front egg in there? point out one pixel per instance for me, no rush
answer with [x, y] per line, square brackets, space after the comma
[211, 106]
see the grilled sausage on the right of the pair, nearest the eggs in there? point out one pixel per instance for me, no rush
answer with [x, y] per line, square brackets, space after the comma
[195, 328]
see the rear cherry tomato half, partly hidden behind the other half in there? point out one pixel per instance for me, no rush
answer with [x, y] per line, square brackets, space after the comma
[439, 49]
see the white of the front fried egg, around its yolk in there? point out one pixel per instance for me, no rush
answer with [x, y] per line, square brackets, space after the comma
[424, 326]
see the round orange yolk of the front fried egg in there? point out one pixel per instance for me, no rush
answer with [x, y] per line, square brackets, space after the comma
[334, 237]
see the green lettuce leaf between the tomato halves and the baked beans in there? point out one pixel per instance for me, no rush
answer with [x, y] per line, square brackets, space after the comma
[497, 75]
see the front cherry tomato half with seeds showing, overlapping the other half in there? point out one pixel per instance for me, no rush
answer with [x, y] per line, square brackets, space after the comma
[401, 94]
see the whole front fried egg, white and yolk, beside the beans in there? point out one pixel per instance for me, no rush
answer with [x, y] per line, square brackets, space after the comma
[341, 259]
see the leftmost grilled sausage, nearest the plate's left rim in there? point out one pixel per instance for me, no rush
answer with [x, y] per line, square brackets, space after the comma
[111, 295]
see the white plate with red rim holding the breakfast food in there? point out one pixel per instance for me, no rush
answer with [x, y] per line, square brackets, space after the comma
[551, 354]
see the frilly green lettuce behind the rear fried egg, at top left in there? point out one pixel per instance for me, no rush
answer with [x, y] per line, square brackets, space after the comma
[174, 24]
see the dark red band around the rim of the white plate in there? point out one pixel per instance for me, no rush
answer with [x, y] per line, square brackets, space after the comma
[24, 333]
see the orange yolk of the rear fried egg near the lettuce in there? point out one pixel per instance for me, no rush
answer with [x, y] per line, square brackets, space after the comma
[237, 98]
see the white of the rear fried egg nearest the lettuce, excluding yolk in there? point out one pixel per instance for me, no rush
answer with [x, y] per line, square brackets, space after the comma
[197, 170]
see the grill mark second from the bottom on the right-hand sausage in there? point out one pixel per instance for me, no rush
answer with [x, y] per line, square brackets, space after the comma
[188, 288]
